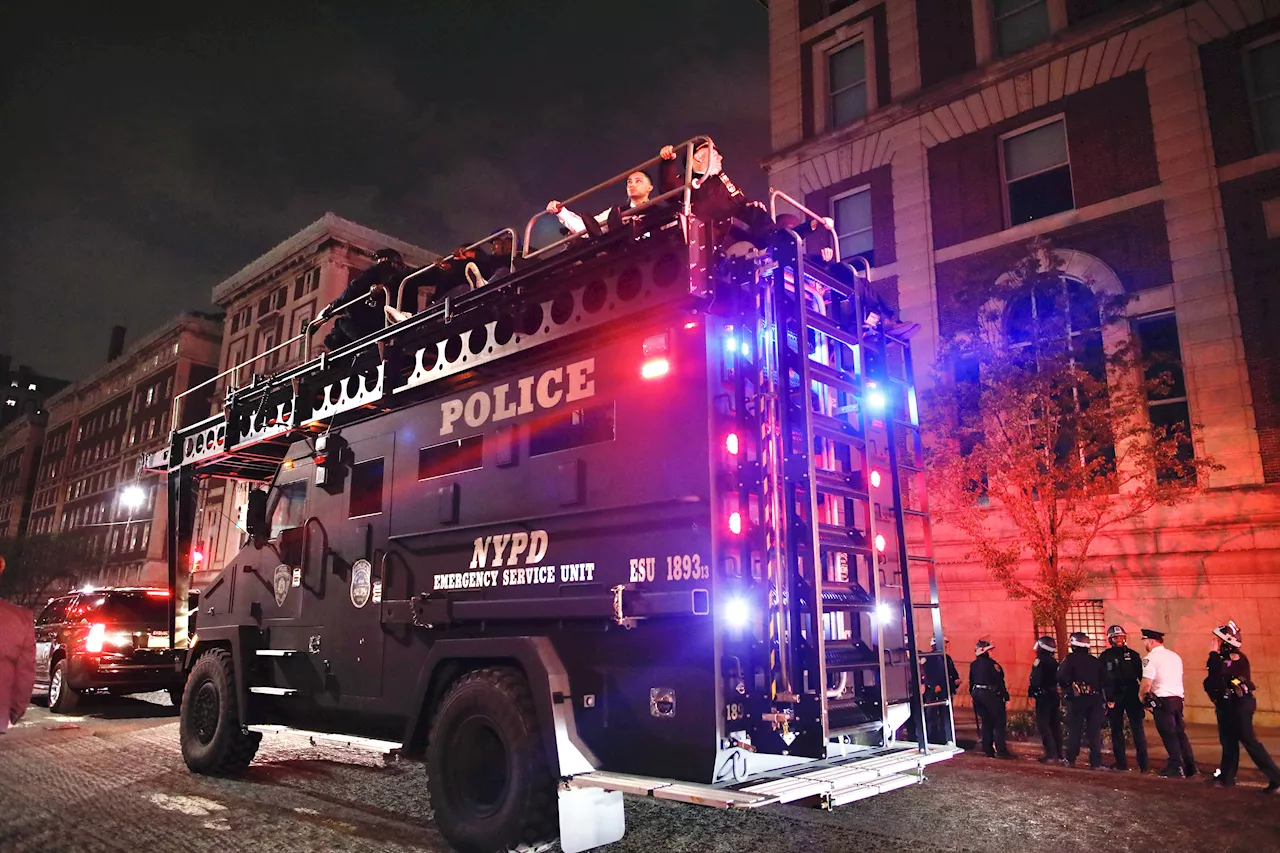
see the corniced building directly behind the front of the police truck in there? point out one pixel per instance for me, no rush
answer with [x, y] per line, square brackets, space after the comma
[268, 303]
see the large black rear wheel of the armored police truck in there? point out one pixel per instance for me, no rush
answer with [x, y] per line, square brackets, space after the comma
[491, 784]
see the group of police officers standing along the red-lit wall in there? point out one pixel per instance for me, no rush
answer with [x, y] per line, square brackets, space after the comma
[1118, 686]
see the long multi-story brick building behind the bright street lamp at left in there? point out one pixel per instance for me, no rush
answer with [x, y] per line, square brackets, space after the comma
[88, 483]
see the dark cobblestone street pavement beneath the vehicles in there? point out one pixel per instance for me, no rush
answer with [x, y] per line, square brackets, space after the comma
[112, 779]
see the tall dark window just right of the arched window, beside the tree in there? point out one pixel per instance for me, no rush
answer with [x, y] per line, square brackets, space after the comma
[1167, 389]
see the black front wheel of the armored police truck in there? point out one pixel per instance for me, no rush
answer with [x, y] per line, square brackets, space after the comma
[213, 740]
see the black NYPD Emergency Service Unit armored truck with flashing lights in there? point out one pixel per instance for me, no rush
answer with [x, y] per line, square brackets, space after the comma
[644, 516]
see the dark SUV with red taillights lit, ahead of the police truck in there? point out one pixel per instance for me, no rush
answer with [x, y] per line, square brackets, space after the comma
[106, 640]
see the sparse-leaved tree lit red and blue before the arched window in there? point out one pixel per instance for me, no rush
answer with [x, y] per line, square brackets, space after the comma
[1039, 419]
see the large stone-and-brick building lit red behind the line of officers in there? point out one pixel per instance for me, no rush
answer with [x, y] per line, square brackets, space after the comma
[1144, 139]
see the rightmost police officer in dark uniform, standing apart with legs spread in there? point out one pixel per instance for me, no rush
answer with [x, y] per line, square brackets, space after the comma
[1232, 691]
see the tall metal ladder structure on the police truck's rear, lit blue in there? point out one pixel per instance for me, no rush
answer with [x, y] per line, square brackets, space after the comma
[844, 510]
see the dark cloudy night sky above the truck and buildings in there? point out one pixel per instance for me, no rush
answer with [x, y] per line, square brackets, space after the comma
[147, 158]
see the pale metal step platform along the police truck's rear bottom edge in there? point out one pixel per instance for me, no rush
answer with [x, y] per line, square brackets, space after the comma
[844, 781]
